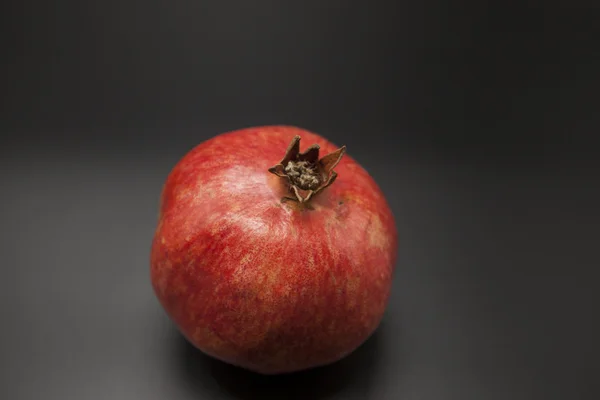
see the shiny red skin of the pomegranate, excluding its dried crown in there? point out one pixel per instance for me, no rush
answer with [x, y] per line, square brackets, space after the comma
[267, 285]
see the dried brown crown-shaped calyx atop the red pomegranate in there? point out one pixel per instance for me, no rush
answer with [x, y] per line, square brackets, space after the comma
[305, 173]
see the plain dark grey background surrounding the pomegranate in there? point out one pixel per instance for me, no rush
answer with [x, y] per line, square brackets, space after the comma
[479, 121]
